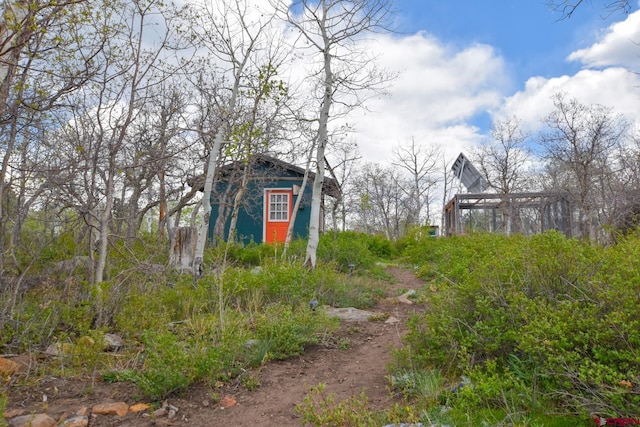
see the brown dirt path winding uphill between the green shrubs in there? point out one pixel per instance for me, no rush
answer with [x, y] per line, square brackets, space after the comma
[346, 372]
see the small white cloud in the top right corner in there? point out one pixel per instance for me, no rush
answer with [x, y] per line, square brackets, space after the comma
[619, 46]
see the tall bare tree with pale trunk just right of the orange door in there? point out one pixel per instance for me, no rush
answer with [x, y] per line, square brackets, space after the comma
[330, 30]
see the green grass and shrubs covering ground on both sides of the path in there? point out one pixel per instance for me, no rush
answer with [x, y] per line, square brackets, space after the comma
[539, 331]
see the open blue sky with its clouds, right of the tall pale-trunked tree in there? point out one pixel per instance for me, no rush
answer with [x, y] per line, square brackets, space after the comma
[464, 63]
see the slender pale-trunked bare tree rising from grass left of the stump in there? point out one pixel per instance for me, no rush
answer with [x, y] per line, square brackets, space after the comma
[102, 118]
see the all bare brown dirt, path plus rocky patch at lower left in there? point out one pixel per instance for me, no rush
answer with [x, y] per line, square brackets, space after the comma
[360, 364]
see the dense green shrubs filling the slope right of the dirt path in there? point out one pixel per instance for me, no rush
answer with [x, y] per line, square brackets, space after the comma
[533, 321]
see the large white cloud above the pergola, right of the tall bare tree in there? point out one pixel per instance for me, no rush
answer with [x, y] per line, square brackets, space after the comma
[438, 89]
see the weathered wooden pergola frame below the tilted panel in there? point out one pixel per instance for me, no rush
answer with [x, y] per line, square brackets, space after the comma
[555, 210]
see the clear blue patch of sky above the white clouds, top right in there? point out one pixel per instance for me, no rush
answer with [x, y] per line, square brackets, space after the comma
[533, 38]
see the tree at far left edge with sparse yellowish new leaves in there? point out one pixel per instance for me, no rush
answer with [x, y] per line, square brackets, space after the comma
[41, 61]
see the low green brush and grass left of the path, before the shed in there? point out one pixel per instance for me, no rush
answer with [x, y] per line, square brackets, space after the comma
[178, 331]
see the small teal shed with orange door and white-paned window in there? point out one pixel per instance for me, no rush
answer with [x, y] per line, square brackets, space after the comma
[266, 206]
